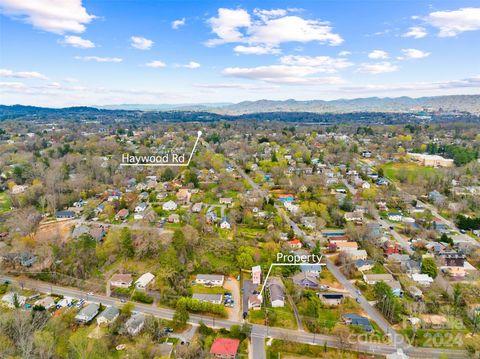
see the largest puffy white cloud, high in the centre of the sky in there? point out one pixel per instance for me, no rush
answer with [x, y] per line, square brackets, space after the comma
[267, 30]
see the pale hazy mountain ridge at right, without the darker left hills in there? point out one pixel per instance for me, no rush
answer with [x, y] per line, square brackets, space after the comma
[463, 103]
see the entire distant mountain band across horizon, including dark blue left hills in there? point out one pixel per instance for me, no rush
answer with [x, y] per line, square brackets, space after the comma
[453, 103]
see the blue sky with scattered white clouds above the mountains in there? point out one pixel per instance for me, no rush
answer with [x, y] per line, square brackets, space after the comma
[60, 53]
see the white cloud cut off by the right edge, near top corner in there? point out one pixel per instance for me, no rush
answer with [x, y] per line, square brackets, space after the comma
[452, 23]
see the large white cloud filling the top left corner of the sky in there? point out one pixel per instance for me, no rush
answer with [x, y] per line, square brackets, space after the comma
[50, 15]
